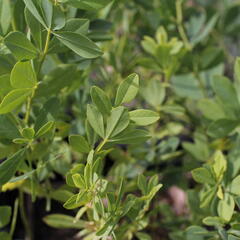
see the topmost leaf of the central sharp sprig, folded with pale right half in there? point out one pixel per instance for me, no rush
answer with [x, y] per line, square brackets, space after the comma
[127, 90]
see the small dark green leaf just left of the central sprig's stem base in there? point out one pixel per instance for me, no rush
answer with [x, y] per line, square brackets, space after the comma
[79, 144]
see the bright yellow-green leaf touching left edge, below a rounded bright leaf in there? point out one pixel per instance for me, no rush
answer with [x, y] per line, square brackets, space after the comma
[13, 99]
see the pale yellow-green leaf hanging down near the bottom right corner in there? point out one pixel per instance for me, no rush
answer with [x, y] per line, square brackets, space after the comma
[226, 207]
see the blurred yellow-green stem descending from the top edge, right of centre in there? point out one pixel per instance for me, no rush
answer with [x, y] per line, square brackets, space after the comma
[180, 27]
